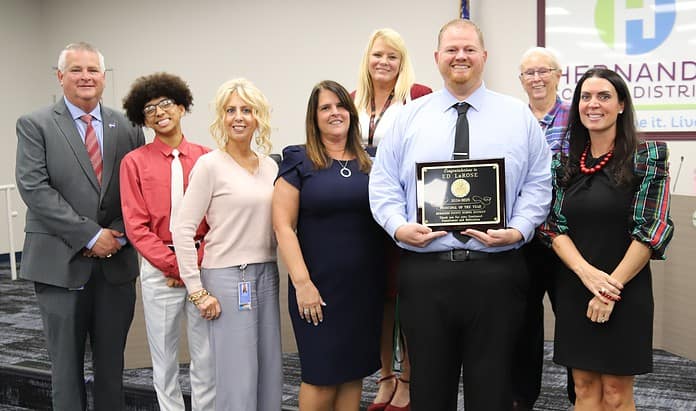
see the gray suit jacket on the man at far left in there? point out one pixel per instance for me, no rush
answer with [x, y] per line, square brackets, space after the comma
[66, 205]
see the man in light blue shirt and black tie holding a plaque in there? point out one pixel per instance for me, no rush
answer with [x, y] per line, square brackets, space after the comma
[461, 187]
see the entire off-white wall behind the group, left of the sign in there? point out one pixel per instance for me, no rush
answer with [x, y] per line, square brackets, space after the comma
[284, 47]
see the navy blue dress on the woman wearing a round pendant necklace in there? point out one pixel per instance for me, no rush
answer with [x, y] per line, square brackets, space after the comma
[343, 248]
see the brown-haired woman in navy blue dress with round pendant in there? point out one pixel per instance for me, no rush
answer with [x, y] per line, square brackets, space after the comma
[334, 251]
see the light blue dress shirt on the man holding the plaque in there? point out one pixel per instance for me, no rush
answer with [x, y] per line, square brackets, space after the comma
[499, 126]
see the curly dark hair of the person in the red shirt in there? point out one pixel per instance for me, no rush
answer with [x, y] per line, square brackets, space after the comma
[156, 85]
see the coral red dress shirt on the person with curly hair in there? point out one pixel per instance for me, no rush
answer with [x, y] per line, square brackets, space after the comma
[146, 200]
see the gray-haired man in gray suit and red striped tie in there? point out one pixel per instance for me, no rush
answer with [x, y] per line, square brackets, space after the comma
[74, 250]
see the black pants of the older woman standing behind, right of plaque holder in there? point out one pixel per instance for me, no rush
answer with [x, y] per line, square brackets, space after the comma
[542, 264]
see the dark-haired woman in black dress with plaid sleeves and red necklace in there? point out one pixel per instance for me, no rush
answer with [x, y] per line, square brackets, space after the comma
[609, 217]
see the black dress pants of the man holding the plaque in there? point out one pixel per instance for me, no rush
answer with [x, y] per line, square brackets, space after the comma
[461, 318]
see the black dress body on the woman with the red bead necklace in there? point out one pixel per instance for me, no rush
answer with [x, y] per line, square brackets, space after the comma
[599, 220]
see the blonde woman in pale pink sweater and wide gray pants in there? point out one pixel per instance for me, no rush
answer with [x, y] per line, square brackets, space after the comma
[236, 287]
